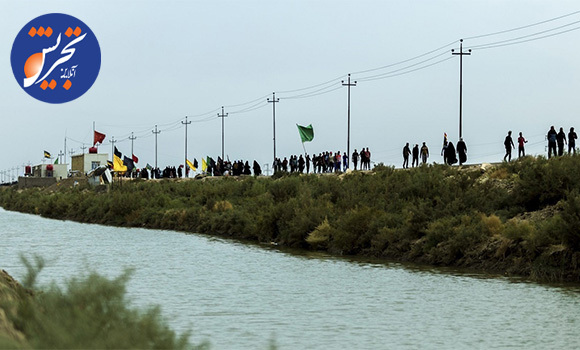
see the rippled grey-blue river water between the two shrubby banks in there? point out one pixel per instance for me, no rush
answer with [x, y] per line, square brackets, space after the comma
[240, 296]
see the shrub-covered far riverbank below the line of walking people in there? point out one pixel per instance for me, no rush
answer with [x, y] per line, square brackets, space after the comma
[520, 218]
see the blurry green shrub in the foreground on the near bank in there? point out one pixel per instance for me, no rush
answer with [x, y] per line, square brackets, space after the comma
[91, 312]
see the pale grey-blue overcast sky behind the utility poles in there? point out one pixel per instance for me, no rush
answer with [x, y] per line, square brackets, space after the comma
[164, 60]
